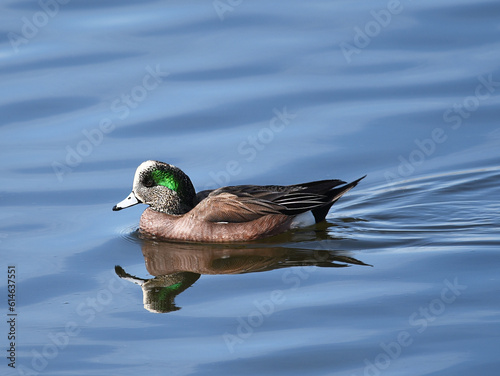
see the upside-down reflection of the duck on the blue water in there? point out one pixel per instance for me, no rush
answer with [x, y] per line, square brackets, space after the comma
[176, 267]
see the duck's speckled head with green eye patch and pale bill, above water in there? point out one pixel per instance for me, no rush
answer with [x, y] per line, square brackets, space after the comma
[165, 188]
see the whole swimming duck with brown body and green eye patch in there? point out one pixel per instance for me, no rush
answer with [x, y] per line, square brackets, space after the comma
[228, 214]
